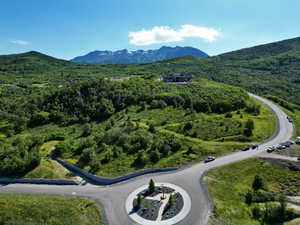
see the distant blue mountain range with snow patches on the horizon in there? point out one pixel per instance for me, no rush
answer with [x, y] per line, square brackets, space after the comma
[139, 56]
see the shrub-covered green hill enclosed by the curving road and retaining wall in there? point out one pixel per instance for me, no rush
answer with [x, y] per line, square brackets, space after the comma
[111, 128]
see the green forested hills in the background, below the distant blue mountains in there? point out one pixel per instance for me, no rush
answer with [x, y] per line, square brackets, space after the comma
[268, 69]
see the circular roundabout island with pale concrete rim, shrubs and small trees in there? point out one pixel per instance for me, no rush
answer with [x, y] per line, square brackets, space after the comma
[166, 204]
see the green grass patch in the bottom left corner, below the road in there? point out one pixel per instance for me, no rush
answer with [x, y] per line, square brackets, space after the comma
[21, 209]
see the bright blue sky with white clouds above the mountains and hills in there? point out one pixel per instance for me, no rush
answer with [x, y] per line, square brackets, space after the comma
[69, 28]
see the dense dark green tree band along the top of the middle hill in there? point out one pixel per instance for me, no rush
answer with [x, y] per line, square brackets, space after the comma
[98, 100]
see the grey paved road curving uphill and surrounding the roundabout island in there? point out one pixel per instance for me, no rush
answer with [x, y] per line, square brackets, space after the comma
[113, 198]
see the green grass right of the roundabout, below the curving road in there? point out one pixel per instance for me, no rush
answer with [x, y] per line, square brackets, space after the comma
[228, 185]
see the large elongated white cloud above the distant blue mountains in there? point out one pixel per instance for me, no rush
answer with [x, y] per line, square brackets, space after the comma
[165, 34]
